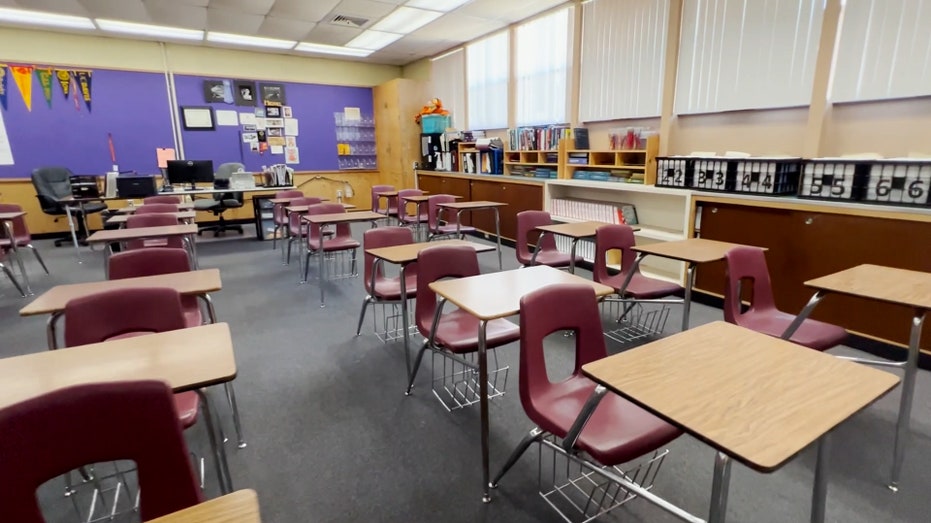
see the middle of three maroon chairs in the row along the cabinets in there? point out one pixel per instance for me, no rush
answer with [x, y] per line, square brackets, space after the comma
[640, 287]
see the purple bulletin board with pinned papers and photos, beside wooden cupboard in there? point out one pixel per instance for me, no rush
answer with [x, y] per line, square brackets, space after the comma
[311, 105]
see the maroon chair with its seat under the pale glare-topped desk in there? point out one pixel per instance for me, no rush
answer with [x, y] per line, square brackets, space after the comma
[456, 332]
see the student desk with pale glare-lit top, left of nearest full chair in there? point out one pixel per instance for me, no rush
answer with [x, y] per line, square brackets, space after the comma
[497, 295]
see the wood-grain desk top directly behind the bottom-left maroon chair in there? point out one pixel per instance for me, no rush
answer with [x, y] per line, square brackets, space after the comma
[186, 359]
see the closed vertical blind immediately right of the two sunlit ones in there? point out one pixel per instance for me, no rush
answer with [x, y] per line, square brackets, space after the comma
[623, 59]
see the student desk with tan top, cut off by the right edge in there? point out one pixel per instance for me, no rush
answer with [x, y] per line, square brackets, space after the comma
[886, 284]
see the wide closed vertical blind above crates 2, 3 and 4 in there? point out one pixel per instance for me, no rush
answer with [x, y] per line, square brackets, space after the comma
[747, 54]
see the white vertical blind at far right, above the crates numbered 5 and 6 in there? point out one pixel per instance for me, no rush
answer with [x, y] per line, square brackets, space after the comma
[883, 51]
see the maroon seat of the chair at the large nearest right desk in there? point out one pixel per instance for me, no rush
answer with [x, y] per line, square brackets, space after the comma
[617, 432]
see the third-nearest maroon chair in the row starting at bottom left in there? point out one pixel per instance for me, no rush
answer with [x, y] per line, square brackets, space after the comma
[154, 261]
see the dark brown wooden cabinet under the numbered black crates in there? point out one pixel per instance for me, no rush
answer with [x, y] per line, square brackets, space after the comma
[807, 243]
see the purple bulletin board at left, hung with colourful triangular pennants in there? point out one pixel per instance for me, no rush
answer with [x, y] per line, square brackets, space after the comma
[125, 107]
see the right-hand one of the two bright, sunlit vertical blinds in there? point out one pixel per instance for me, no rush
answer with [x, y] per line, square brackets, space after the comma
[542, 61]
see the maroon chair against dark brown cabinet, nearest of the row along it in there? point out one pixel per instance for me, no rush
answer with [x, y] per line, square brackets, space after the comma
[748, 265]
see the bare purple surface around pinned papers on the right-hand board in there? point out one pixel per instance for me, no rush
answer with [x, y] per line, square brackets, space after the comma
[313, 105]
